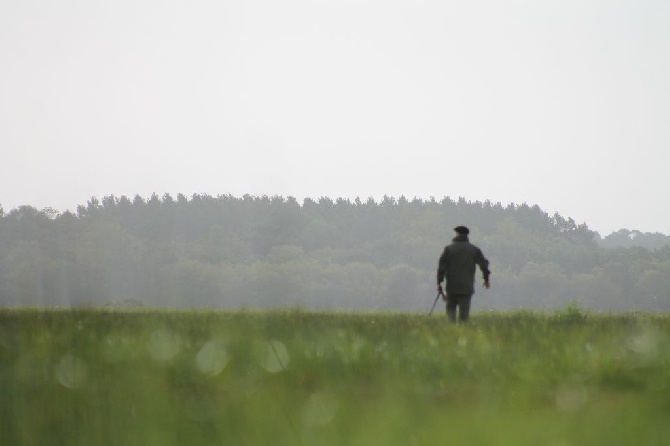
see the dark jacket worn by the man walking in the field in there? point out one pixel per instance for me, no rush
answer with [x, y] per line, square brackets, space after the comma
[458, 264]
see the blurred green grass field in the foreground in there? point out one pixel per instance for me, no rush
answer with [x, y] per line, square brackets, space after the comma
[153, 377]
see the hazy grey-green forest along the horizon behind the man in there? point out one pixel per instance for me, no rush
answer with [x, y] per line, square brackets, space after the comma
[204, 251]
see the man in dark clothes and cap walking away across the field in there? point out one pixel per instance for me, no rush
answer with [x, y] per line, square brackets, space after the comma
[457, 266]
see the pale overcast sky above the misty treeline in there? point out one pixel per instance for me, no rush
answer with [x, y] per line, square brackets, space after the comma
[564, 104]
